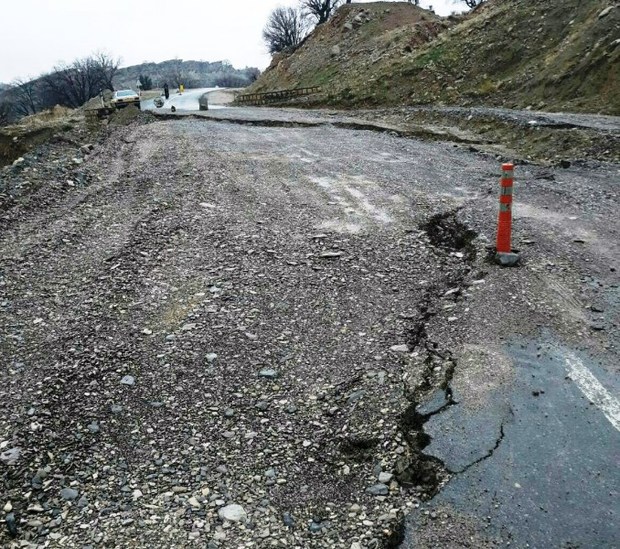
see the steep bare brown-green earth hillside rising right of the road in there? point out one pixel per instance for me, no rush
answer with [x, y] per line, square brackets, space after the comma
[547, 54]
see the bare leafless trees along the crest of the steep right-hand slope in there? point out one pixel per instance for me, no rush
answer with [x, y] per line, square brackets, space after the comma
[287, 27]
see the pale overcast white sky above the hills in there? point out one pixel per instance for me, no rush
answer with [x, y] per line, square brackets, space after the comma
[37, 34]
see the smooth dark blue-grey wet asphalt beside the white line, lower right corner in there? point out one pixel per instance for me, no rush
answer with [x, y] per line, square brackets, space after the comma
[535, 461]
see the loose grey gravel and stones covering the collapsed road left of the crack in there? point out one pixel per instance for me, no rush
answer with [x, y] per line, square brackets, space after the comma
[308, 453]
